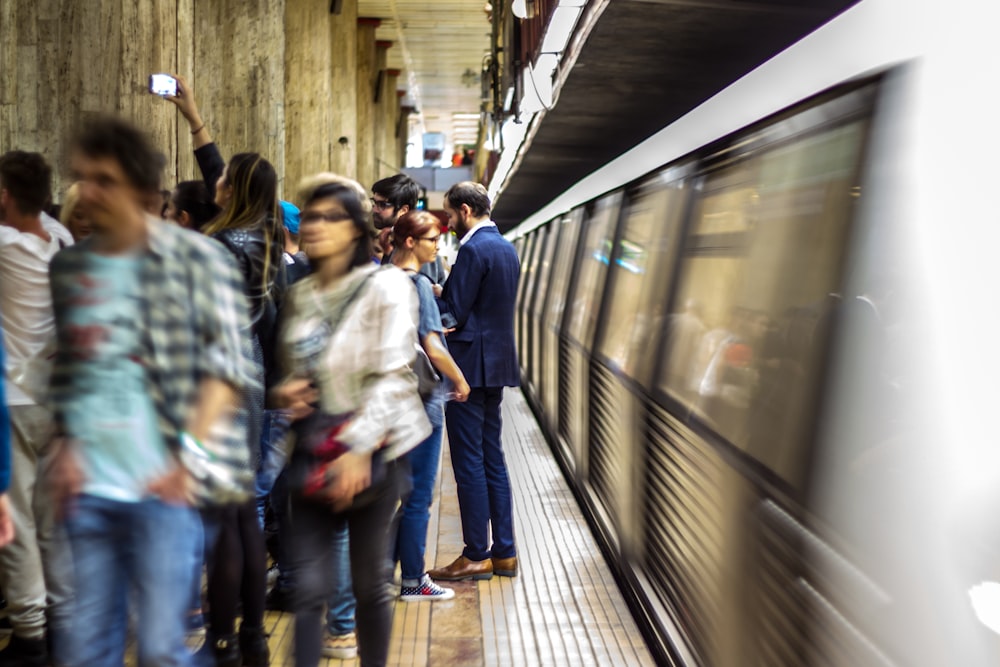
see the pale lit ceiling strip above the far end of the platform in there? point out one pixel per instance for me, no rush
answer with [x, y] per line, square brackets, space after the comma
[436, 44]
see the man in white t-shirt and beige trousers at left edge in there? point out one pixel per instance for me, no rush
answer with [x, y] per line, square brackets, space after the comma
[35, 572]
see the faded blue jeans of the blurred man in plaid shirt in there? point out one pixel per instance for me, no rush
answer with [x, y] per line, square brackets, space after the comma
[117, 546]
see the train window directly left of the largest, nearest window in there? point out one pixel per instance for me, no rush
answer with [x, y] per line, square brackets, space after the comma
[641, 271]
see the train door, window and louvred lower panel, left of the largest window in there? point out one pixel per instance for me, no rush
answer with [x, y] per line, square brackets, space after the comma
[641, 269]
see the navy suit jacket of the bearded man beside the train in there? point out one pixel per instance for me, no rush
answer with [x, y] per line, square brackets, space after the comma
[480, 295]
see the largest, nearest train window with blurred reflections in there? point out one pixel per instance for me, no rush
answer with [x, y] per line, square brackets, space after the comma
[763, 257]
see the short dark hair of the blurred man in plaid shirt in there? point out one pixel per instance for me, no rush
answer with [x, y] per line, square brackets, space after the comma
[108, 136]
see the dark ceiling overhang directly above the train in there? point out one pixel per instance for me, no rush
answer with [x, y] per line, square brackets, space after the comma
[644, 64]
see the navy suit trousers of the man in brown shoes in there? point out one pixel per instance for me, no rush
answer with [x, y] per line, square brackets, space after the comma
[484, 498]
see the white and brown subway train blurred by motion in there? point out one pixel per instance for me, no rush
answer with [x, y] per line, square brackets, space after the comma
[759, 344]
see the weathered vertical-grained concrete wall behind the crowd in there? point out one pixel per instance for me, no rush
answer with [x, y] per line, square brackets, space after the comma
[280, 77]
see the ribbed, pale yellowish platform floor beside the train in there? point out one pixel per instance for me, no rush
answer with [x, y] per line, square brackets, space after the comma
[563, 608]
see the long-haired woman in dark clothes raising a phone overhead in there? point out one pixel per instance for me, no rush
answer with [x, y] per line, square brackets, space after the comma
[246, 190]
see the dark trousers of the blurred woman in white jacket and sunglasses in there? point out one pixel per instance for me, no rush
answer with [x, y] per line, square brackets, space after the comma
[313, 527]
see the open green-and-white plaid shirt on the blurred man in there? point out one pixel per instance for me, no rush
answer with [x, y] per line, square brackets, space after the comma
[195, 320]
